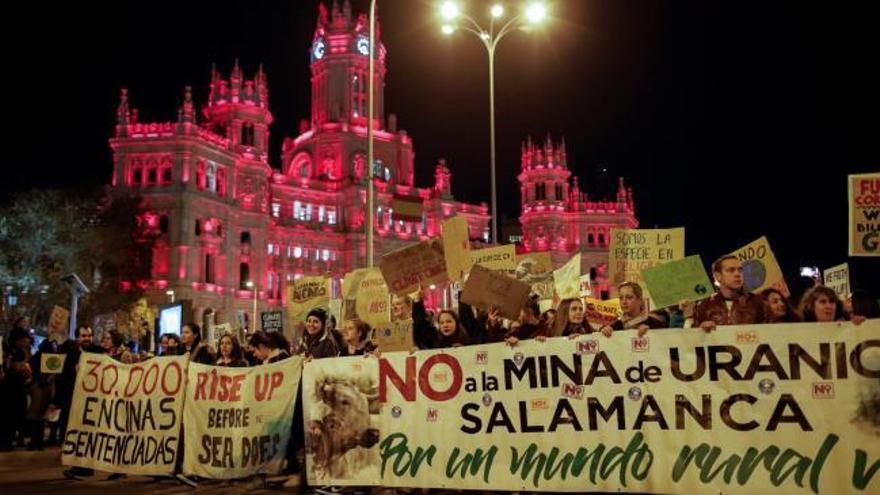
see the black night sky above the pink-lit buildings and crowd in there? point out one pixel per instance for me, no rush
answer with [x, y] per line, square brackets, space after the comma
[734, 119]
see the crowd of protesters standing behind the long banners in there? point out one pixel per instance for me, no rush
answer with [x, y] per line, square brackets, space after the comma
[36, 404]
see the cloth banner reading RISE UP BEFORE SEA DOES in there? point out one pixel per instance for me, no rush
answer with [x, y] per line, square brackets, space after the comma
[238, 419]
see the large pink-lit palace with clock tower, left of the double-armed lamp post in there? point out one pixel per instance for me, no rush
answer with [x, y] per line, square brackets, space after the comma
[225, 216]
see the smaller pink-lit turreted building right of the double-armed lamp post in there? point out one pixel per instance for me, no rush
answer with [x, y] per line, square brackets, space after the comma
[558, 218]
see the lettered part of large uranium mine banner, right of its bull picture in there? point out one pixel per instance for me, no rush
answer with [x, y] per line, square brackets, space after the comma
[745, 410]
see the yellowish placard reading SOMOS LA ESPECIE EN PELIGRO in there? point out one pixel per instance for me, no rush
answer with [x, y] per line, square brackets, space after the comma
[633, 250]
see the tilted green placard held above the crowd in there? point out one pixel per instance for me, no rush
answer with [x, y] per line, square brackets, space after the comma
[676, 281]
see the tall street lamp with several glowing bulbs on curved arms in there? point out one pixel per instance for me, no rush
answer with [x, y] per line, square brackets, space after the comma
[533, 14]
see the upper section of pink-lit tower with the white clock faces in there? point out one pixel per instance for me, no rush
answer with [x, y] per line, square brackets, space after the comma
[339, 63]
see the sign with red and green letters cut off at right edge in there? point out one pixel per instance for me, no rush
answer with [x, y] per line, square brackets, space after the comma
[864, 214]
